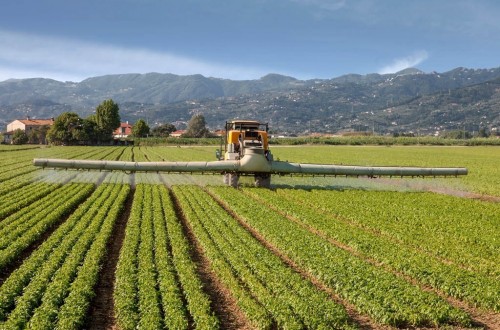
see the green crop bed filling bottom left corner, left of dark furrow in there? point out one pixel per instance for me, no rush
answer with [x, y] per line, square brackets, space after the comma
[55, 284]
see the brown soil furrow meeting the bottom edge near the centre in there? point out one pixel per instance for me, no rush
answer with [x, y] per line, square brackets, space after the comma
[224, 304]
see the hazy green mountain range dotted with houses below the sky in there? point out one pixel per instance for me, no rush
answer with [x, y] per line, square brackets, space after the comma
[410, 100]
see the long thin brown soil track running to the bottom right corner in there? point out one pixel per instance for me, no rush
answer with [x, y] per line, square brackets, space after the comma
[482, 319]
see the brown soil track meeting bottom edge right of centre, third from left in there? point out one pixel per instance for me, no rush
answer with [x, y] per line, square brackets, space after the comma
[362, 321]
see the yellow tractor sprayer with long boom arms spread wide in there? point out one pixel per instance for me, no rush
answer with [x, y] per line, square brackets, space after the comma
[246, 152]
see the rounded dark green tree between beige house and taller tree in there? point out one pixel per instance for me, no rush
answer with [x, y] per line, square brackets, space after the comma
[66, 129]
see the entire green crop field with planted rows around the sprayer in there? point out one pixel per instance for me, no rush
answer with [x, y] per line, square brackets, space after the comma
[113, 250]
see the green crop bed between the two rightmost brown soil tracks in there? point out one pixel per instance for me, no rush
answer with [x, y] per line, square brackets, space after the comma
[477, 289]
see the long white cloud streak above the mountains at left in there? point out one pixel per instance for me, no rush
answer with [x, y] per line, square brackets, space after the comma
[26, 55]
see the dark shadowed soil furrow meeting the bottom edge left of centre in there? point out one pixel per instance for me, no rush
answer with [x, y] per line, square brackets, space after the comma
[101, 315]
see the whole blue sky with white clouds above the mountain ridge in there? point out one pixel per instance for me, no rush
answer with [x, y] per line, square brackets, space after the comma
[73, 40]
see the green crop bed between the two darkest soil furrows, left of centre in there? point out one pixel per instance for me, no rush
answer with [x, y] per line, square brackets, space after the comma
[155, 275]
